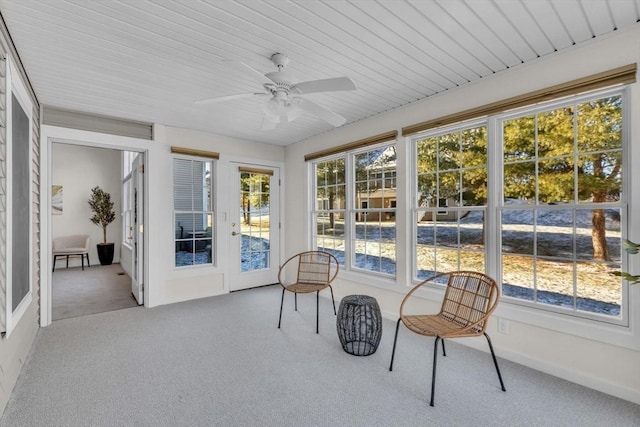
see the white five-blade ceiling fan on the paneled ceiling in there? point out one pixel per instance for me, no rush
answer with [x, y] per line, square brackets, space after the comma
[286, 102]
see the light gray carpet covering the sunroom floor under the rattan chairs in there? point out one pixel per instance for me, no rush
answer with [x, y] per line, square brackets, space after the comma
[222, 361]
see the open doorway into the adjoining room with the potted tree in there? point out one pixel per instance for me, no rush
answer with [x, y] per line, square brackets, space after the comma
[71, 292]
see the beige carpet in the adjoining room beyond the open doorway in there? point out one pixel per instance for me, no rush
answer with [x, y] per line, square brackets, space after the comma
[97, 289]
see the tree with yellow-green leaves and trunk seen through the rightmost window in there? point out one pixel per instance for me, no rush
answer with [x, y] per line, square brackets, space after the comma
[571, 153]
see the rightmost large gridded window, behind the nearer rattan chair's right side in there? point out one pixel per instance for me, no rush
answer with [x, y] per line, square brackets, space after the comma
[561, 209]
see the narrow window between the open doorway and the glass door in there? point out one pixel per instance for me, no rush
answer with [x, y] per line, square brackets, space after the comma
[193, 211]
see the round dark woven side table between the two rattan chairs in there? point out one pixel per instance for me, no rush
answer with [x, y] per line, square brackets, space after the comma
[359, 324]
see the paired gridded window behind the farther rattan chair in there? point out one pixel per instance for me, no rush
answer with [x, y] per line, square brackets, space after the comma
[355, 196]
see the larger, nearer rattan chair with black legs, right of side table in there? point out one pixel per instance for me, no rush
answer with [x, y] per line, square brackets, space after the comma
[469, 300]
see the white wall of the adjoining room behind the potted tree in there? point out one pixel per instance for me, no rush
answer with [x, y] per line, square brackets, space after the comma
[78, 169]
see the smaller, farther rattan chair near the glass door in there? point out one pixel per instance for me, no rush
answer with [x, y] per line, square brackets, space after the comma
[307, 272]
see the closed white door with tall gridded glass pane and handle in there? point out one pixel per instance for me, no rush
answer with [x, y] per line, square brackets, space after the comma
[255, 225]
